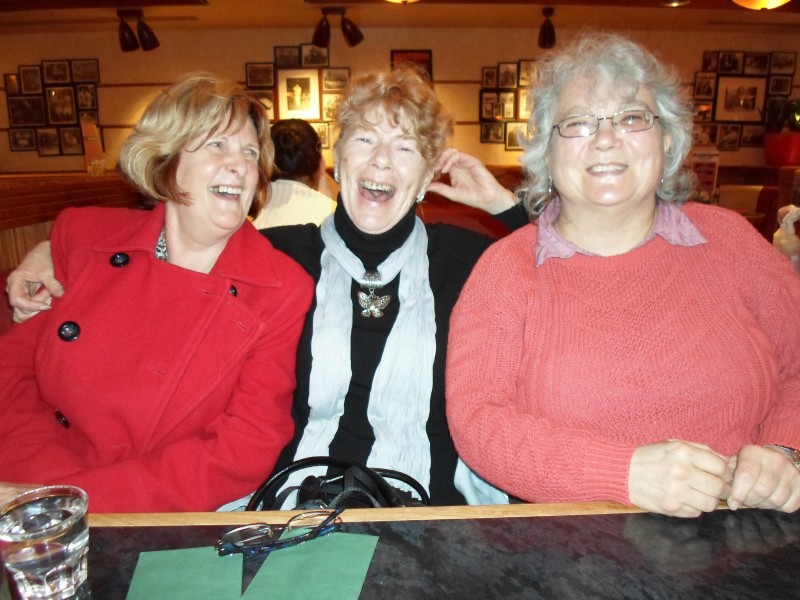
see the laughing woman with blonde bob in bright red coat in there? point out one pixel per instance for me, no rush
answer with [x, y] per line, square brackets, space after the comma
[162, 381]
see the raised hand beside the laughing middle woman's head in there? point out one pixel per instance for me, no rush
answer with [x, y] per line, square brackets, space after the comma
[471, 183]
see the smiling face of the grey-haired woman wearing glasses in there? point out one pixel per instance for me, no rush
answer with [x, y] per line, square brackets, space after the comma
[607, 169]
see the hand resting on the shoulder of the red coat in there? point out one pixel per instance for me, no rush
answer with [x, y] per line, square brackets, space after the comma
[32, 285]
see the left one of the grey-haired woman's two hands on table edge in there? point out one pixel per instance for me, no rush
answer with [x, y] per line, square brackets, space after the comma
[677, 478]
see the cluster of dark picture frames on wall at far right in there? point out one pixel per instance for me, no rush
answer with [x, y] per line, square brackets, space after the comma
[733, 93]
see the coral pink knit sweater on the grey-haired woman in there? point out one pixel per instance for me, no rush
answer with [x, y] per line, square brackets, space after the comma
[556, 374]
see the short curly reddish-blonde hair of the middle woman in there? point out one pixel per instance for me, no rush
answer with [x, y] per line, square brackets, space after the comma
[406, 97]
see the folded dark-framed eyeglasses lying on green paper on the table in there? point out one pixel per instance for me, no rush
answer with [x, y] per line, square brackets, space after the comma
[260, 538]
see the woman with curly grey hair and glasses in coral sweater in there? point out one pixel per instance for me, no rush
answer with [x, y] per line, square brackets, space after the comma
[626, 346]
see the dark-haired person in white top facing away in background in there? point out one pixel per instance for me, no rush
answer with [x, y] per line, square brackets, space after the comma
[299, 167]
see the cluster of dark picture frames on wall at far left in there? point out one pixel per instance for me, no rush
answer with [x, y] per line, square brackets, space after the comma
[47, 103]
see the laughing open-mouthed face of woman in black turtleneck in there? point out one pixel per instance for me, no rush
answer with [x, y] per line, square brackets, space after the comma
[381, 172]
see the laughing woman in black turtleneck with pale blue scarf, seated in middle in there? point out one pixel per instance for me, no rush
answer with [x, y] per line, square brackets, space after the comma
[370, 365]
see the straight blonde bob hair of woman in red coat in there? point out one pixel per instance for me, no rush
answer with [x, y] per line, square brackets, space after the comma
[195, 106]
